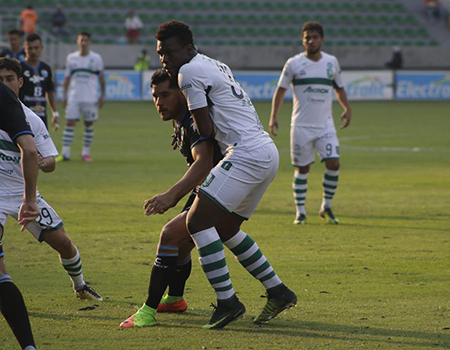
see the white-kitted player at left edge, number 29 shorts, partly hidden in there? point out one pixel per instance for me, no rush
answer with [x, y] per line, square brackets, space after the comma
[48, 226]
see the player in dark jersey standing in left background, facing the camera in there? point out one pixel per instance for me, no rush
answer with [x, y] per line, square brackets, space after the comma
[38, 87]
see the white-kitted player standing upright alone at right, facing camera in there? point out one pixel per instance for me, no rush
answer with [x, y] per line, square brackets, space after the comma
[313, 75]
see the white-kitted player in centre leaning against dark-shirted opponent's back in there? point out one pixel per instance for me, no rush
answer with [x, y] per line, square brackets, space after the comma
[221, 109]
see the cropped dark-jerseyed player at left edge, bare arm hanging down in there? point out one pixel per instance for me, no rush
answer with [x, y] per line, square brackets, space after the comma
[12, 120]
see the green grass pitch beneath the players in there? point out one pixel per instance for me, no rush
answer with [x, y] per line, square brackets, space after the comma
[379, 280]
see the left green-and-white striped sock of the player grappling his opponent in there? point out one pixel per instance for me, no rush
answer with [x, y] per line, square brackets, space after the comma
[212, 259]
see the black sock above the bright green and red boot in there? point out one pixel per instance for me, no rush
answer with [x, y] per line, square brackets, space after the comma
[162, 272]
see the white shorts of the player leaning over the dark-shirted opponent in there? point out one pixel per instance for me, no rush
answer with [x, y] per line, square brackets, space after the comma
[240, 180]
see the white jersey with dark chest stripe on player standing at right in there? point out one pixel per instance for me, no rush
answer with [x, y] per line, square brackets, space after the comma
[312, 84]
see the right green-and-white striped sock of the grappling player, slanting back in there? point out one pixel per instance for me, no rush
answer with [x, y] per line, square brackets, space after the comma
[252, 259]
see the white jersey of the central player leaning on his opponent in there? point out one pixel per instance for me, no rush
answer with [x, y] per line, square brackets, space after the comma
[207, 82]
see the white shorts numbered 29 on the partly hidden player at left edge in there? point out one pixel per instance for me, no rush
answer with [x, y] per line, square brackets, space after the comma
[47, 220]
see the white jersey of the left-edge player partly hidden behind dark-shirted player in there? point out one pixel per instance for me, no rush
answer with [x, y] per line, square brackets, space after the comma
[11, 180]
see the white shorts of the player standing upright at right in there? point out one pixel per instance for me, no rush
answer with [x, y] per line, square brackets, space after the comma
[304, 140]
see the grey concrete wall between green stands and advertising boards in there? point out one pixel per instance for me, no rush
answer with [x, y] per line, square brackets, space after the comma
[271, 58]
